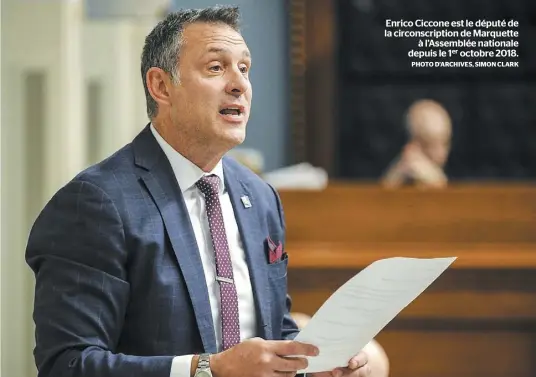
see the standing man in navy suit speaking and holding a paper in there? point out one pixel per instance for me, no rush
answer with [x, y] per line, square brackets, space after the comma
[167, 259]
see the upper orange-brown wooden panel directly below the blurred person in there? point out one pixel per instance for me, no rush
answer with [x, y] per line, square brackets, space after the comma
[346, 212]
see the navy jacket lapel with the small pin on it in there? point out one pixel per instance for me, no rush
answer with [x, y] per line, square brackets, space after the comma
[249, 227]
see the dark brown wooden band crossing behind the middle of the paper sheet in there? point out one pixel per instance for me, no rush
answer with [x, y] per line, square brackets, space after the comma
[468, 295]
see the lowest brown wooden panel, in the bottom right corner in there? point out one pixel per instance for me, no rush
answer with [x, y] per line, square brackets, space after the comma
[463, 353]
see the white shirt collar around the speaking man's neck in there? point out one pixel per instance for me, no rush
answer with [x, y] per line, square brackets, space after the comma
[186, 172]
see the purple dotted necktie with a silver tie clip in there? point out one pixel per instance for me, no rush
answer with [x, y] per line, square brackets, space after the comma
[209, 186]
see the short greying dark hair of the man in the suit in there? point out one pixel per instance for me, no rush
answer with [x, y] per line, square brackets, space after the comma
[162, 45]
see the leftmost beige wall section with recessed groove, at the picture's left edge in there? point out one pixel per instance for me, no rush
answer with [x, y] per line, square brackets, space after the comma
[42, 110]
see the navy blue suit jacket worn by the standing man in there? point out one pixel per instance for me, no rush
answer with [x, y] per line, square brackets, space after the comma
[120, 288]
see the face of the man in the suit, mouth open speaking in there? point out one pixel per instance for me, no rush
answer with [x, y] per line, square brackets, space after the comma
[211, 104]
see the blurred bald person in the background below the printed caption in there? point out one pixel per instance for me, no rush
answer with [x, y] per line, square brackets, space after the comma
[423, 158]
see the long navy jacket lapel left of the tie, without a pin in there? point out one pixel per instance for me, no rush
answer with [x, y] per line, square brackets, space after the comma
[158, 177]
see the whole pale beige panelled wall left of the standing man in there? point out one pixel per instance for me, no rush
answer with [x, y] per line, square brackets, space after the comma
[44, 131]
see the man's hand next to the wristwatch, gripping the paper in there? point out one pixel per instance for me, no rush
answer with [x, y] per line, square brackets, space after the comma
[262, 358]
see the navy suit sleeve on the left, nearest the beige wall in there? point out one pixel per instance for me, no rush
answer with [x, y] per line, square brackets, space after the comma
[78, 252]
